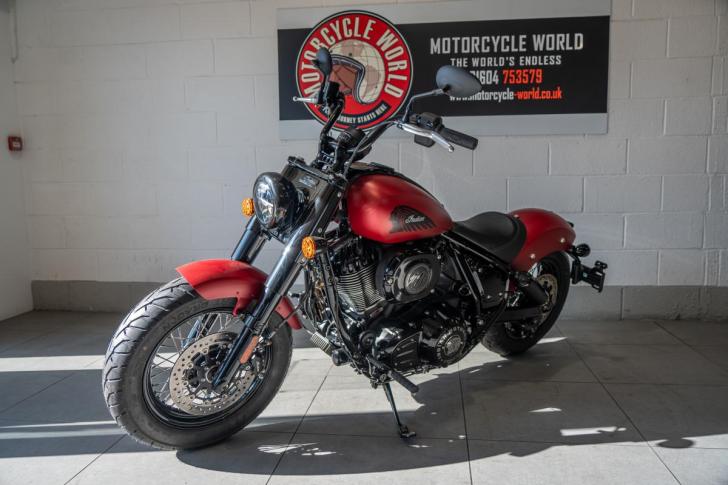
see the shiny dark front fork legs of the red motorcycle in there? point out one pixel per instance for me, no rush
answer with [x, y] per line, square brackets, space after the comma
[283, 275]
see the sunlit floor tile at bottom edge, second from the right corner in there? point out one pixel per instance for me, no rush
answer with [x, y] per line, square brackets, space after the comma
[533, 463]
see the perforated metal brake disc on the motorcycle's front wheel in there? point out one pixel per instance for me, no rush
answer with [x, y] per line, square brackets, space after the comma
[190, 382]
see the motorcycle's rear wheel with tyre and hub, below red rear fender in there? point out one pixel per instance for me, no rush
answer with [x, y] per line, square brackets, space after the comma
[511, 338]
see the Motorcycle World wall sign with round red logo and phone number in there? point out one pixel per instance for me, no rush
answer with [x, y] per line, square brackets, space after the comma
[543, 75]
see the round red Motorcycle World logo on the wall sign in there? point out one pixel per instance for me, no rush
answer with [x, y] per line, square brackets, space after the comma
[372, 64]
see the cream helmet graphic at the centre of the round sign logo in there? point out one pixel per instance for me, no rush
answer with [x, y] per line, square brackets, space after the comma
[359, 68]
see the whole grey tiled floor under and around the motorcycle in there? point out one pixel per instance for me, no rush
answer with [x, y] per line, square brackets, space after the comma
[595, 402]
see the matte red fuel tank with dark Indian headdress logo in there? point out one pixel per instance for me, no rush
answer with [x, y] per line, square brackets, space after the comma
[391, 209]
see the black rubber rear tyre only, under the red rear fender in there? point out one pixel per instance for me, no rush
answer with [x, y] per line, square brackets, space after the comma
[500, 339]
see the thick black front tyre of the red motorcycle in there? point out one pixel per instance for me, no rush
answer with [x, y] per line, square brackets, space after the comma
[135, 344]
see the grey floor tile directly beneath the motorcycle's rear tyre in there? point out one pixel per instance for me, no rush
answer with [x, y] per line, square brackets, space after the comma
[555, 361]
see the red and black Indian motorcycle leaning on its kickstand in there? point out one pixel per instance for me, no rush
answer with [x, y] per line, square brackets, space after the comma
[392, 286]
